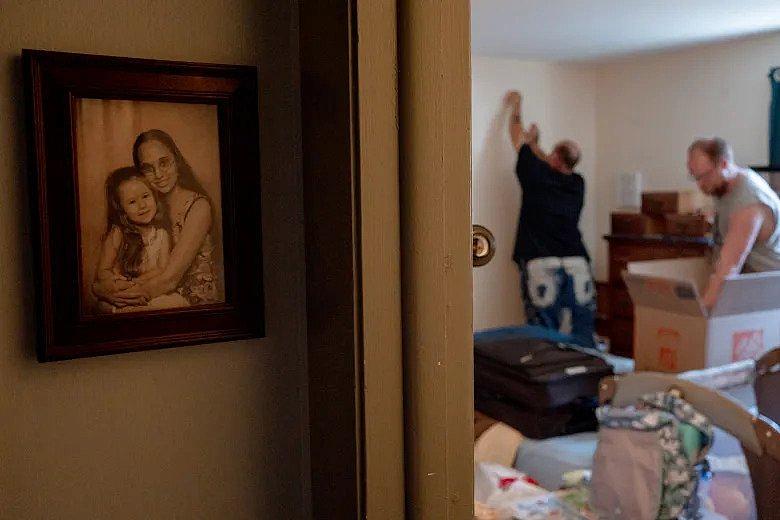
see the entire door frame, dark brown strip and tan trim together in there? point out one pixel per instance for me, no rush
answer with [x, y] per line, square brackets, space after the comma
[390, 408]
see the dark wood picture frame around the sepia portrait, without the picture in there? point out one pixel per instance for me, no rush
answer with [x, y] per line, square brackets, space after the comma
[53, 81]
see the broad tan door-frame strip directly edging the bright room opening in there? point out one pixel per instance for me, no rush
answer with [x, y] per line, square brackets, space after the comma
[435, 166]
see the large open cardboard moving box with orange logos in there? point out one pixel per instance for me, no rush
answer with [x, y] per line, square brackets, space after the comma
[672, 330]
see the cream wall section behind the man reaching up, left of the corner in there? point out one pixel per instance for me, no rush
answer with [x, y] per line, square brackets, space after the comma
[561, 98]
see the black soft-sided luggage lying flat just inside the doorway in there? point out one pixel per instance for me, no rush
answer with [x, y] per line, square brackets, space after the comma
[539, 387]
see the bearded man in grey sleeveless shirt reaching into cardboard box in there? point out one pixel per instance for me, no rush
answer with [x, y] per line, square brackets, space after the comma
[747, 212]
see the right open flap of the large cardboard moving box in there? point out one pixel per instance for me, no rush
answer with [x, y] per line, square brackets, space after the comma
[748, 293]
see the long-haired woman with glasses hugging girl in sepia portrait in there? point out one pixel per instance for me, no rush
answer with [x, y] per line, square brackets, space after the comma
[190, 269]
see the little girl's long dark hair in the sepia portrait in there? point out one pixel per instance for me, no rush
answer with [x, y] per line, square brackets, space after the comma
[131, 250]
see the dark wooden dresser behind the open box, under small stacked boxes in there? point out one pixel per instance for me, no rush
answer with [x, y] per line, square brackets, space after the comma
[615, 313]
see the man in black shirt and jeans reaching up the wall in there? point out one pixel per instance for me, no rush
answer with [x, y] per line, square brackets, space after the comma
[555, 274]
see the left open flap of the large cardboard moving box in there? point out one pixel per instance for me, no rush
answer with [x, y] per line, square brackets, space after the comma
[678, 296]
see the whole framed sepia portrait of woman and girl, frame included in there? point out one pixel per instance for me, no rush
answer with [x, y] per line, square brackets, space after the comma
[145, 180]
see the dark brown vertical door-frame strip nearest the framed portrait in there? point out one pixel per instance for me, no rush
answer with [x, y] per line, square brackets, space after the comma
[330, 144]
